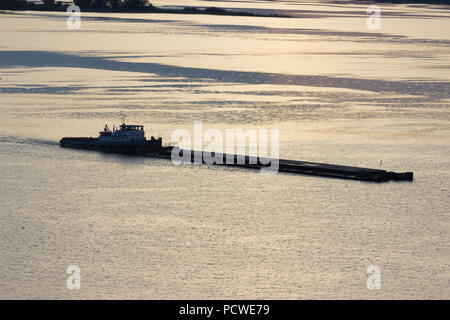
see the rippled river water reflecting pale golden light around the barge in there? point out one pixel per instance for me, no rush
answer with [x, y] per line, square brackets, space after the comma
[143, 228]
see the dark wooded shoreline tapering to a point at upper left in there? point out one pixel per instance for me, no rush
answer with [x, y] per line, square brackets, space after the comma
[58, 6]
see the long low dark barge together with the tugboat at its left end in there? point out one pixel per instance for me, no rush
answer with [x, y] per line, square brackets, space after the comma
[130, 139]
